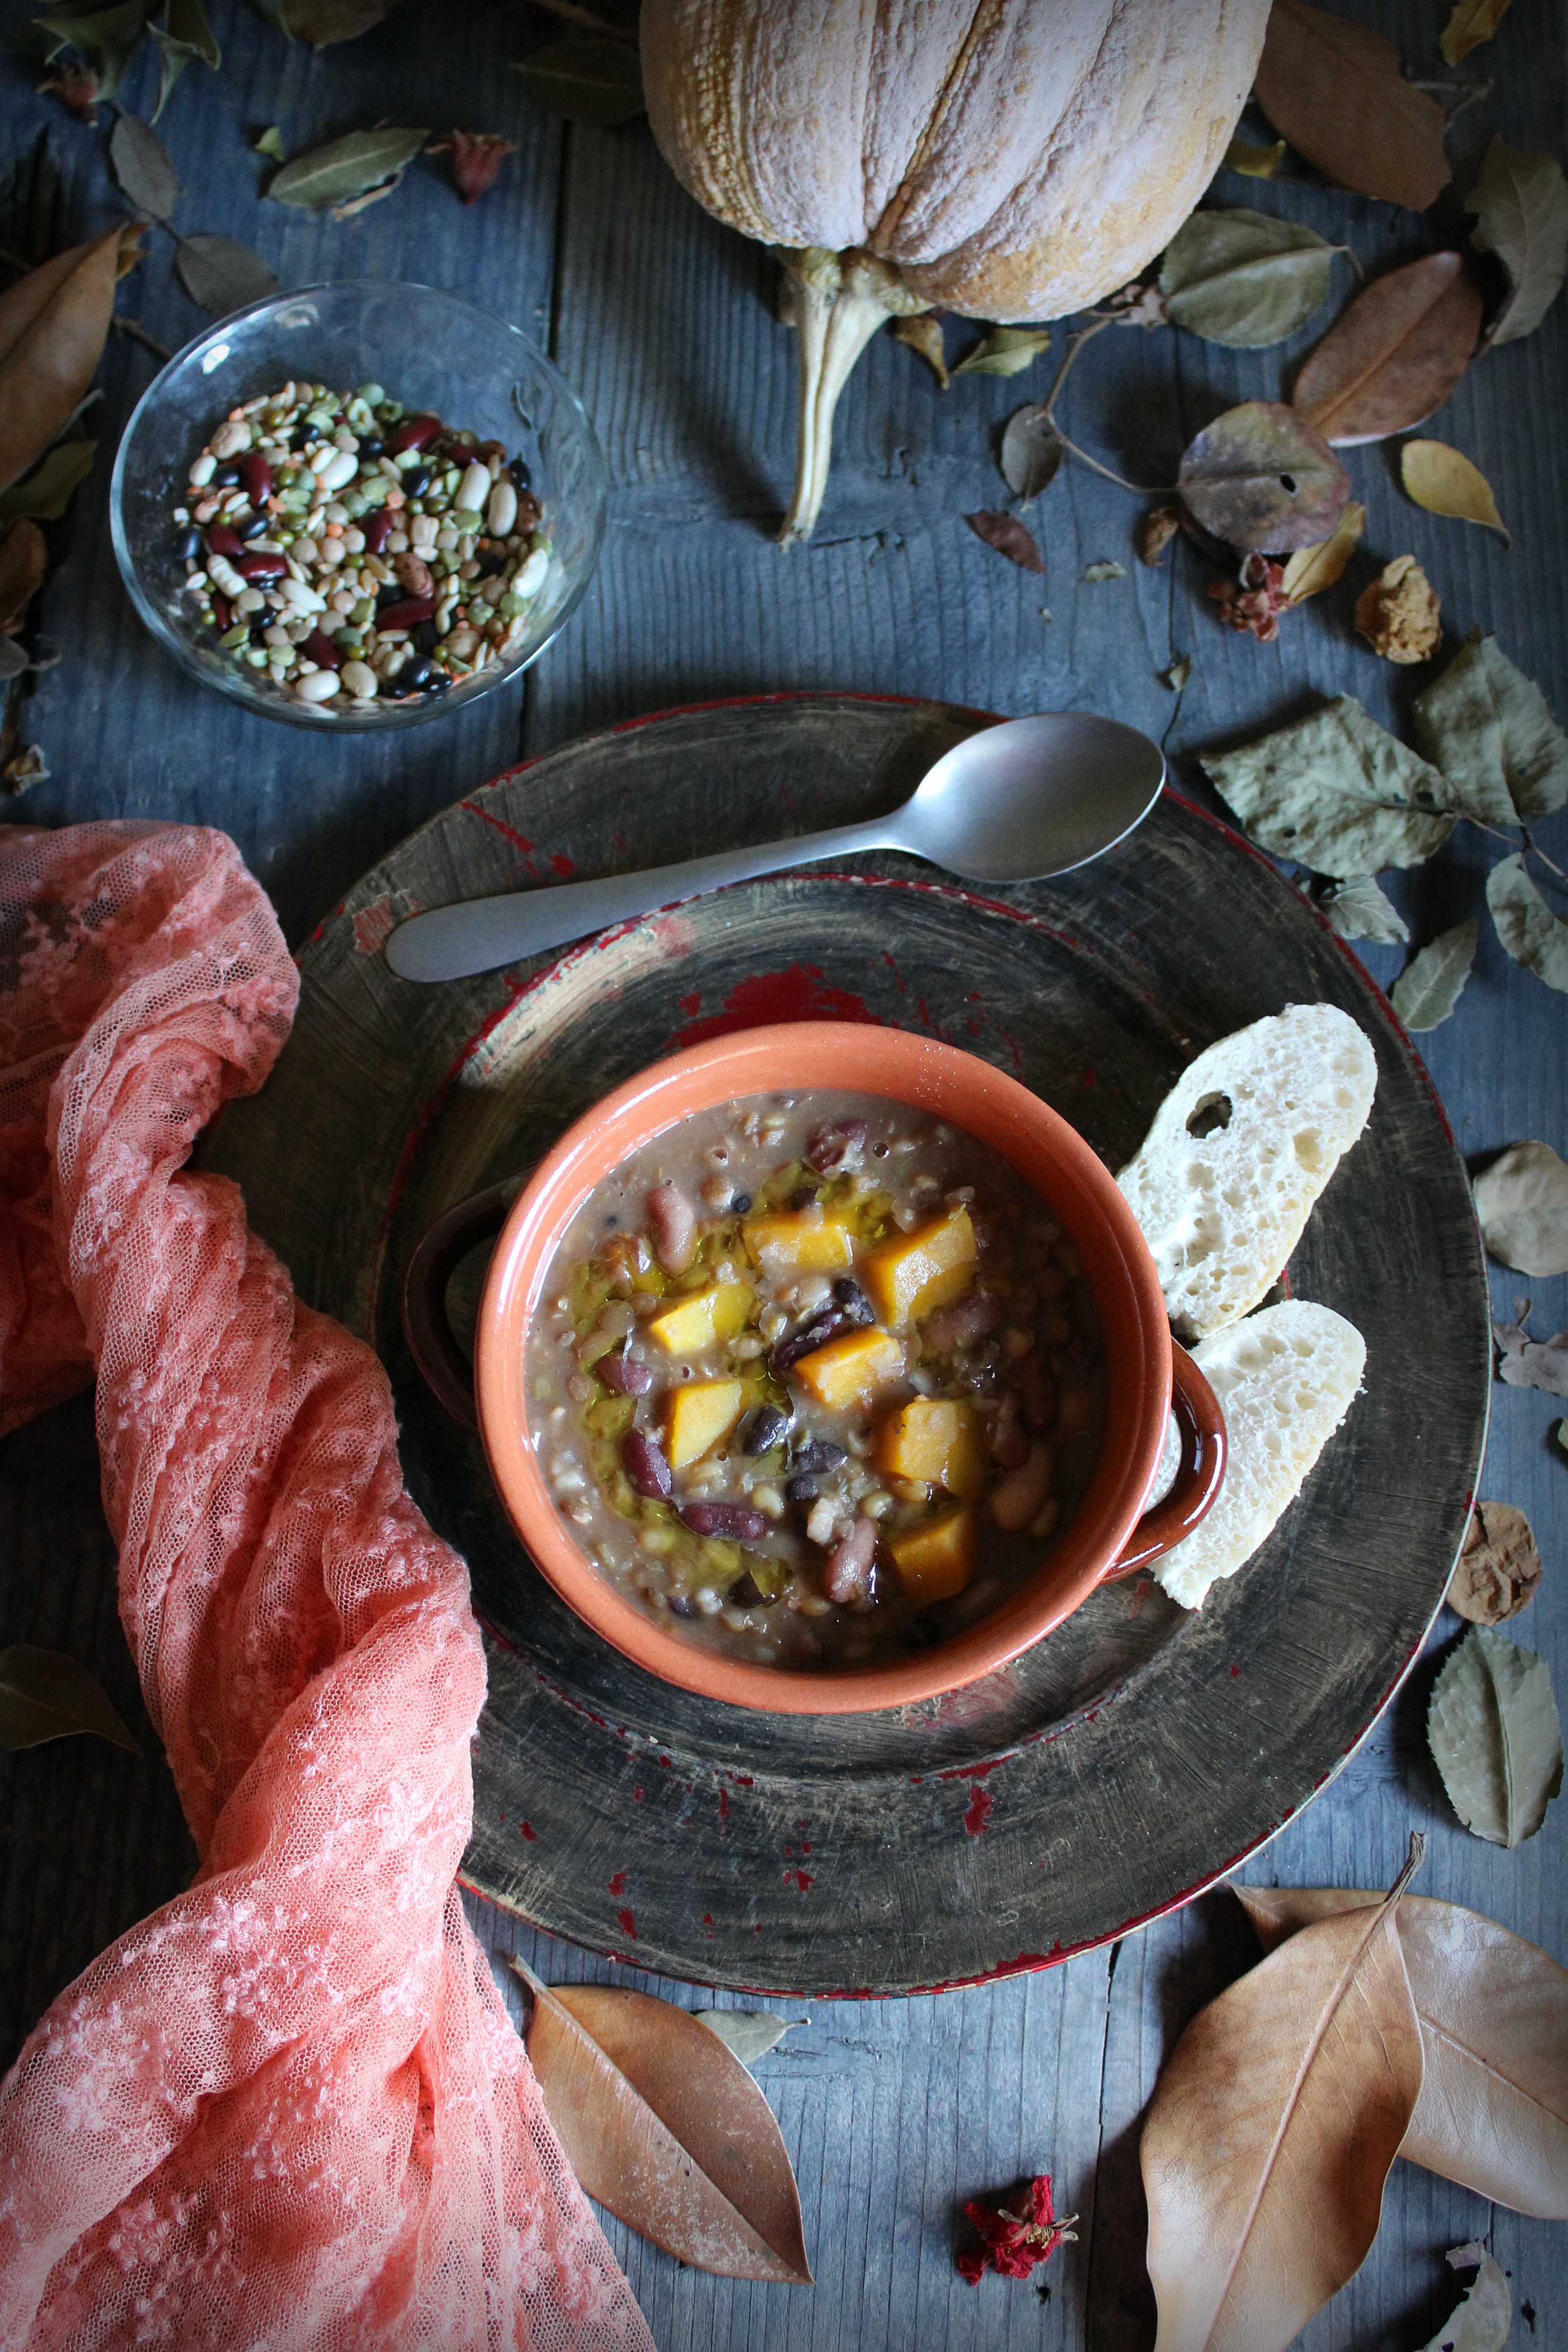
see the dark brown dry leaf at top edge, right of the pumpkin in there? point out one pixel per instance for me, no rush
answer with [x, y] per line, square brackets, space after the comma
[1341, 100]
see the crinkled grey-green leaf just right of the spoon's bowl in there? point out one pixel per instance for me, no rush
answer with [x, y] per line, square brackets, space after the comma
[1334, 791]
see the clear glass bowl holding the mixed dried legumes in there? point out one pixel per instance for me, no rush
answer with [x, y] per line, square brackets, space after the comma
[431, 352]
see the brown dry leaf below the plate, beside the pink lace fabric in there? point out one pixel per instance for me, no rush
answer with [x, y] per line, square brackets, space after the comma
[666, 2130]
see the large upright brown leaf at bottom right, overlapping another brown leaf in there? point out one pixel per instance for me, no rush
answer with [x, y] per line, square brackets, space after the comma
[1273, 2132]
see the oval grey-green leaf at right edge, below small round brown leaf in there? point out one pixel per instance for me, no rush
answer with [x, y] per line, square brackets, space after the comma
[1496, 1737]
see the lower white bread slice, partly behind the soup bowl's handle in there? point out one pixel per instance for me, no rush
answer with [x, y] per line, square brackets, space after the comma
[1285, 1382]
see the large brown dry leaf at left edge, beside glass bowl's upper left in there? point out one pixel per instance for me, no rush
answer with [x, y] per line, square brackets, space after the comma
[53, 328]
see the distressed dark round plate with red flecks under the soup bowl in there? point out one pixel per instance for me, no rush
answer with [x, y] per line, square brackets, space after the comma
[1137, 1753]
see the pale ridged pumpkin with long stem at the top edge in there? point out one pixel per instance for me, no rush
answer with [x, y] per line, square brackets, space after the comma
[1005, 159]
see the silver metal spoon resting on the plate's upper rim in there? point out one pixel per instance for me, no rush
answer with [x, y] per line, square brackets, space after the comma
[1012, 803]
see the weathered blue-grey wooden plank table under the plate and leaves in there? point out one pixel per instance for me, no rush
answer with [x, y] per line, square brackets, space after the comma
[897, 2111]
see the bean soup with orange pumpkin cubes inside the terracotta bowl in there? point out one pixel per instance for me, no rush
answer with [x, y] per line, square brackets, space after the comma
[817, 1379]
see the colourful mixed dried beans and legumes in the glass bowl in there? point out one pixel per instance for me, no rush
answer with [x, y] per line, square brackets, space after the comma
[351, 552]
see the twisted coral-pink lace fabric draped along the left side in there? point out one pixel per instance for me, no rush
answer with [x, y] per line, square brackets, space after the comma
[288, 2111]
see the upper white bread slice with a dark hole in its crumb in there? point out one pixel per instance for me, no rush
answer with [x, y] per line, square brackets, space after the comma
[1224, 1210]
